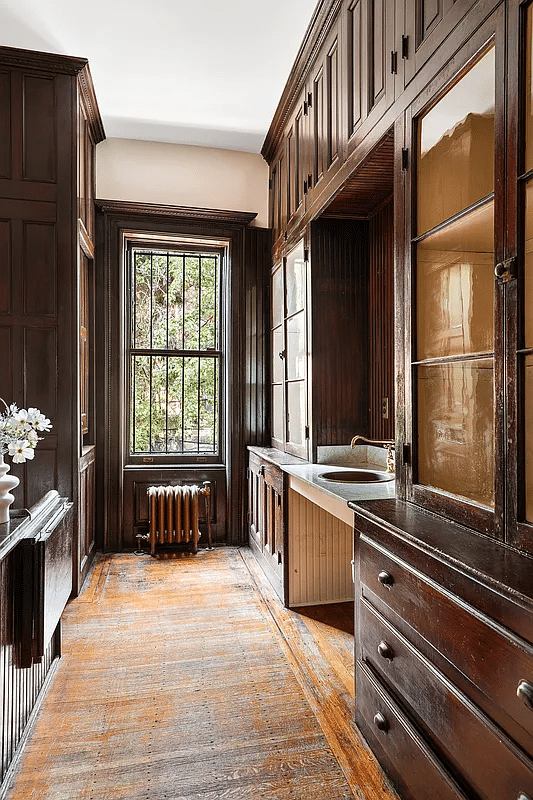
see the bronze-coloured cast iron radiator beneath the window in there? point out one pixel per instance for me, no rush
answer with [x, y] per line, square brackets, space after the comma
[175, 515]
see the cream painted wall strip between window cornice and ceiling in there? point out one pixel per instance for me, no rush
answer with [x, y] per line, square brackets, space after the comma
[182, 175]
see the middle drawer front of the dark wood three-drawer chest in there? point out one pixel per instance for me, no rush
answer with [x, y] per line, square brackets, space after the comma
[464, 736]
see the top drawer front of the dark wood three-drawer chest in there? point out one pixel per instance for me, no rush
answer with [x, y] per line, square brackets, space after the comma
[497, 662]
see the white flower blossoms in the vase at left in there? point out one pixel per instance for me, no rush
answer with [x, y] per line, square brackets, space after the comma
[18, 431]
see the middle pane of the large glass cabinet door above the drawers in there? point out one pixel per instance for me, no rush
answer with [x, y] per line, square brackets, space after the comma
[455, 287]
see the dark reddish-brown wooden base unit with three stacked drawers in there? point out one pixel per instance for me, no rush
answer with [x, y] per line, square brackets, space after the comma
[444, 658]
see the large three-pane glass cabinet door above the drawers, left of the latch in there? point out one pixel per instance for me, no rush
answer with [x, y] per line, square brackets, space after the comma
[454, 347]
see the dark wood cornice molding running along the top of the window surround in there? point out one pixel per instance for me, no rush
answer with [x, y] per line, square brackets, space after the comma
[185, 213]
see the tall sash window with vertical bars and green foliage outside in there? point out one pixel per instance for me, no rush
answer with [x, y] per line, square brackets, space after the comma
[174, 354]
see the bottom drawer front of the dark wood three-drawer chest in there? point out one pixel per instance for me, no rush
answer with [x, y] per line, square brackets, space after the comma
[412, 765]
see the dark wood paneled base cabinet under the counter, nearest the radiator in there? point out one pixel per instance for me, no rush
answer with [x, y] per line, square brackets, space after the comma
[266, 521]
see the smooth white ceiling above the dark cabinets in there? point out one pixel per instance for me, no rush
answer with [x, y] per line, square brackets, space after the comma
[202, 72]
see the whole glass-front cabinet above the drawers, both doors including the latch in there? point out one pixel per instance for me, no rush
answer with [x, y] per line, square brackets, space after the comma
[468, 352]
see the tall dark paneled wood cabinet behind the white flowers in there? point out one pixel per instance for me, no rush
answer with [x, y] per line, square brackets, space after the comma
[50, 126]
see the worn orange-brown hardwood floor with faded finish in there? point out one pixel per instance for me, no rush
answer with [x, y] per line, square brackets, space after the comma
[186, 679]
